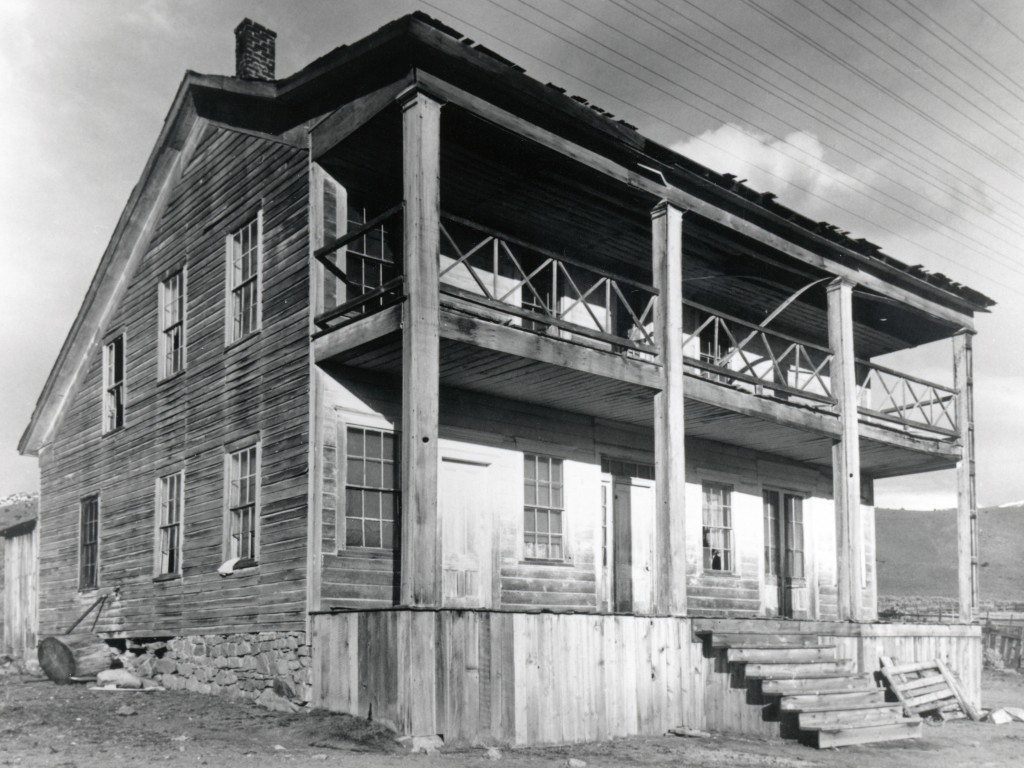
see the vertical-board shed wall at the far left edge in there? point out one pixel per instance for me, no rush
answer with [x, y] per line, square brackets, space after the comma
[20, 586]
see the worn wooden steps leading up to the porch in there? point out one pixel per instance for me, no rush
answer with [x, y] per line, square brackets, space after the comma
[822, 699]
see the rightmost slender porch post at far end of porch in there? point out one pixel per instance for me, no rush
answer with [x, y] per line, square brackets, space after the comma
[967, 500]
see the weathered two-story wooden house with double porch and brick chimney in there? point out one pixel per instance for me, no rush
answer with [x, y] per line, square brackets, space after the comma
[418, 390]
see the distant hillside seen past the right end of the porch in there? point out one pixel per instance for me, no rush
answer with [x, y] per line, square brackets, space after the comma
[917, 552]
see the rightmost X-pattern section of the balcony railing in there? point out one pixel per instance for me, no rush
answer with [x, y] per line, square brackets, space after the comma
[906, 400]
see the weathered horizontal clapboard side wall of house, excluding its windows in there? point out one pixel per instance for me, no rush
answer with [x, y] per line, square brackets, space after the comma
[255, 388]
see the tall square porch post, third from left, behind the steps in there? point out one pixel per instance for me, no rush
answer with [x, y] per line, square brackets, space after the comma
[846, 454]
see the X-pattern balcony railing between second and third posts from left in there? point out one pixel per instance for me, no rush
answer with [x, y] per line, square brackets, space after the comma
[731, 350]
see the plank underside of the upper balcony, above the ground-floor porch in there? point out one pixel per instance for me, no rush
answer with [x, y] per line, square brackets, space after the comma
[713, 412]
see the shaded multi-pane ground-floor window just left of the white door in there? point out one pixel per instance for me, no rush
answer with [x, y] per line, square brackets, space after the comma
[372, 492]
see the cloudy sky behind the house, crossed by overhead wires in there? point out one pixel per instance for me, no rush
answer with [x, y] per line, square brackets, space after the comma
[900, 122]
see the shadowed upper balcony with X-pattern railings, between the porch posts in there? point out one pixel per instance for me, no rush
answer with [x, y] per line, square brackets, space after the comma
[546, 294]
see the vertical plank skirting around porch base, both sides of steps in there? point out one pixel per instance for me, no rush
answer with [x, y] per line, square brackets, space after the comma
[556, 678]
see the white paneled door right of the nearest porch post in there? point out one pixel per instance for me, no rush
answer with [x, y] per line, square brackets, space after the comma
[466, 533]
